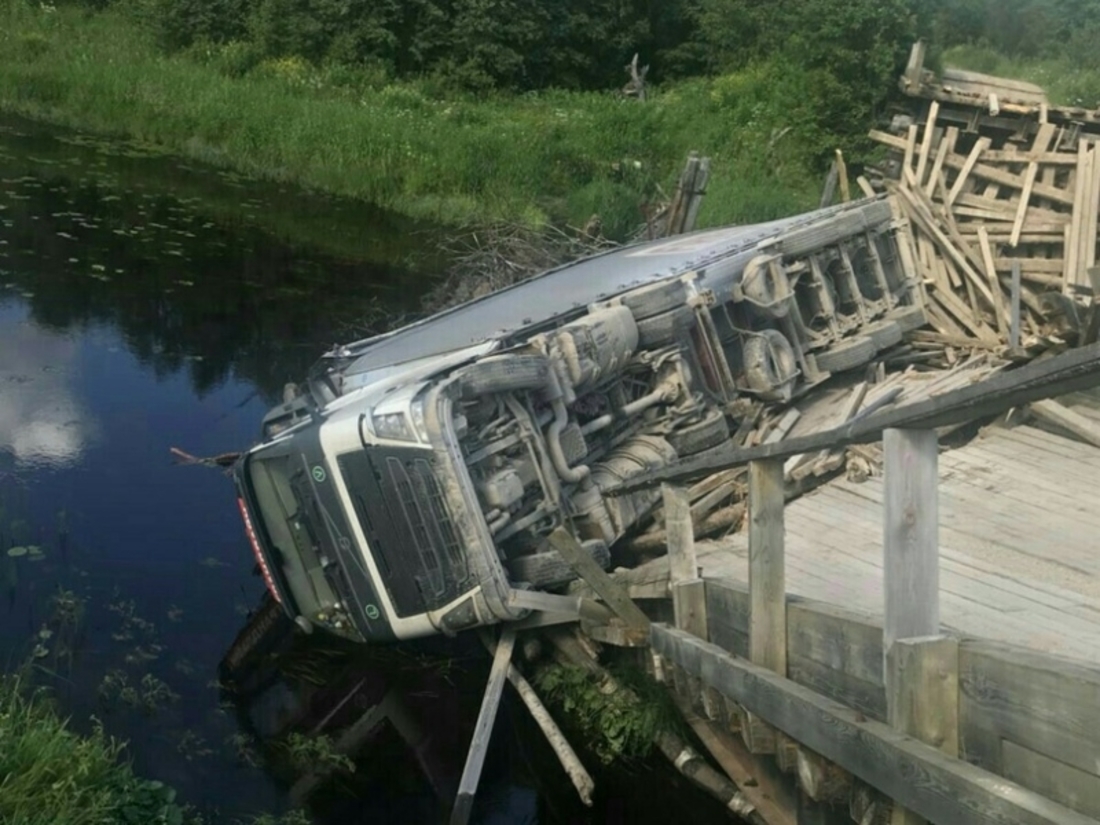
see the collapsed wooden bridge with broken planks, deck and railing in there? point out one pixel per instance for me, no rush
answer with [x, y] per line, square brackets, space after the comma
[908, 628]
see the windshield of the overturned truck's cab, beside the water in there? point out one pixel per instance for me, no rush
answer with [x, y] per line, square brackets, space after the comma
[284, 499]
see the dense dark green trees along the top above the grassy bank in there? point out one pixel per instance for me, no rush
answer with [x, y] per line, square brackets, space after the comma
[853, 48]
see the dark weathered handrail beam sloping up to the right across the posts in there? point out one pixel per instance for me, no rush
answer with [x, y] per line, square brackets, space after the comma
[1075, 370]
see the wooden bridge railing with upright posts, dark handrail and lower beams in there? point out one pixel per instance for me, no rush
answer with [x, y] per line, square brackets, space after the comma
[911, 755]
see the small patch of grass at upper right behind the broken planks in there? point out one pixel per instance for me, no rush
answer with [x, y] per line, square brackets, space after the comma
[1068, 82]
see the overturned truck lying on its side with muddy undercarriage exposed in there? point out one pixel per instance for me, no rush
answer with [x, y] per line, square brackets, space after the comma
[410, 487]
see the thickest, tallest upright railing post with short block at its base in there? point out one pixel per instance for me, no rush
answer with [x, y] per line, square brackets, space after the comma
[921, 667]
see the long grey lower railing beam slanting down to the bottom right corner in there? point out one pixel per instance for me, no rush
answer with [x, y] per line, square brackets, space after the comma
[920, 777]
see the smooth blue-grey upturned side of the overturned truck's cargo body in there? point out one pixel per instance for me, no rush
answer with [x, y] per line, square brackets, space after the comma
[540, 300]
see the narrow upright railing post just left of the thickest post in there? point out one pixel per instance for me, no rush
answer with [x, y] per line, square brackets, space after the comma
[767, 586]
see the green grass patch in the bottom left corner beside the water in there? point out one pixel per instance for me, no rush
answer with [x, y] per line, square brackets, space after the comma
[50, 775]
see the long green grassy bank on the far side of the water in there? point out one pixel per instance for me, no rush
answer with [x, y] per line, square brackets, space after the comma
[548, 157]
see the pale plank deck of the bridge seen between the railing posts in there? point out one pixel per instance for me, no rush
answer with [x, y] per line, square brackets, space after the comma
[1019, 536]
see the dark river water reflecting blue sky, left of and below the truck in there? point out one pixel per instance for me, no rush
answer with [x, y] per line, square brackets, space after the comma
[146, 304]
